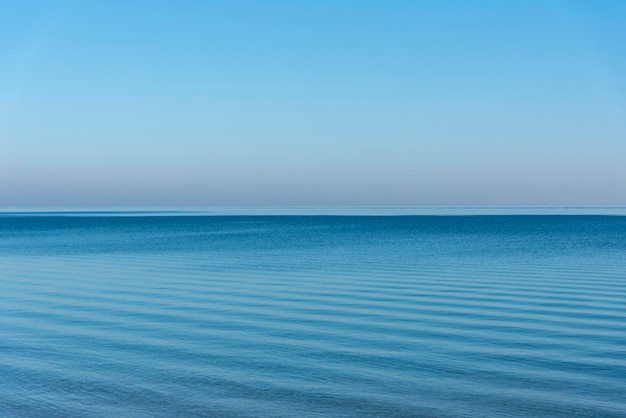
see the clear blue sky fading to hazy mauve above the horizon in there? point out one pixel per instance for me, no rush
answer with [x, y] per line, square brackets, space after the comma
[312, 102]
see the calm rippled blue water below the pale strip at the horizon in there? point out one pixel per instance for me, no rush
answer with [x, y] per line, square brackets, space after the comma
[469, 316]
